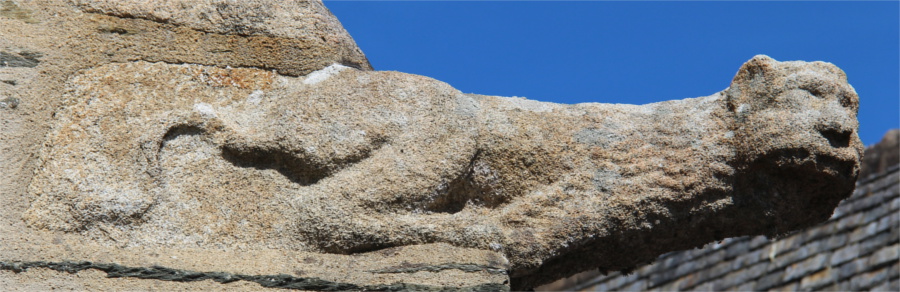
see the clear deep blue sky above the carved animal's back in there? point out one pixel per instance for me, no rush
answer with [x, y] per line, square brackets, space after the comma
[630, 52]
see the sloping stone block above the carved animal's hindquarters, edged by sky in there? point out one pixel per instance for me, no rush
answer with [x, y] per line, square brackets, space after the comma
[294, 37]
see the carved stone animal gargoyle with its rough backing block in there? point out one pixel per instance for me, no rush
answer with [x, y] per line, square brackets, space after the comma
[347, 161]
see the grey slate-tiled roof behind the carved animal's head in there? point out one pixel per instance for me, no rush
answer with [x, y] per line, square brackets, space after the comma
[857, 249]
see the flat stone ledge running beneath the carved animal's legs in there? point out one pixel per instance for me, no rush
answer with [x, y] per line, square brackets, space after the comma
[423, 267]
